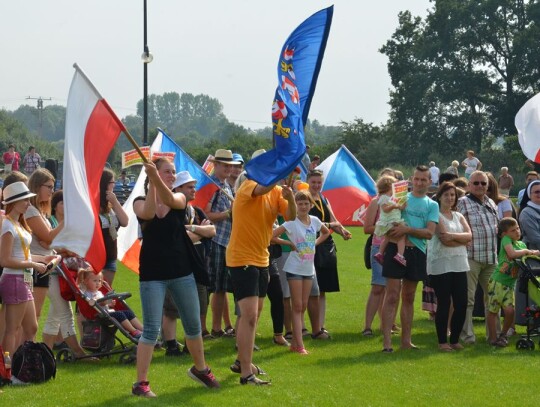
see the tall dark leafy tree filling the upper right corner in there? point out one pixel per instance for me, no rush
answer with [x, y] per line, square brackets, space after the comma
[463, 73]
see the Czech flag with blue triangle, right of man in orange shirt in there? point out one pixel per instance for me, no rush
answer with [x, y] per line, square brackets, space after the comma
[347, 185]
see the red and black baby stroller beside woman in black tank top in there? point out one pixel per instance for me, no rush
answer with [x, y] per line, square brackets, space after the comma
[100, 330]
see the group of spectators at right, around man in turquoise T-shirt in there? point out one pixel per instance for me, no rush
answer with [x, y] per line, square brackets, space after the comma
[464, 236]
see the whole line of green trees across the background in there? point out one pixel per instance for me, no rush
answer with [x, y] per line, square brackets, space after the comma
[458, 78]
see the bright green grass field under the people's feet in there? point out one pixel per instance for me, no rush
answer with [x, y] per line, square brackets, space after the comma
[347, 370]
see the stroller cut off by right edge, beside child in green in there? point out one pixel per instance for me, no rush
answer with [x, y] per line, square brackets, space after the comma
[529, 284]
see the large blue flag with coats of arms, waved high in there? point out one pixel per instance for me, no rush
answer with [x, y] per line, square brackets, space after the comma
[298, 68]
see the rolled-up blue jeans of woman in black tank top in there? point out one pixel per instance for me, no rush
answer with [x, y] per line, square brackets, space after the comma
[184, 293]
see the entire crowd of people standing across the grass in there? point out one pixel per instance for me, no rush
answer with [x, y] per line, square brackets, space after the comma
[255, 241]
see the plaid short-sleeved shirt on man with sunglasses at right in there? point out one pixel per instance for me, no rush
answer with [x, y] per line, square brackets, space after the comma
[482, 218]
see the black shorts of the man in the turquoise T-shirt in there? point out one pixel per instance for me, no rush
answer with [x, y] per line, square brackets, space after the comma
[416, 264]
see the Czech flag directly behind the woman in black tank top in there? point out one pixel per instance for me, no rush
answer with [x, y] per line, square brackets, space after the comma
[128, 242]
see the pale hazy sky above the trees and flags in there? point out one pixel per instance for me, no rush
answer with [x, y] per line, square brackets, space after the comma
[226, 49]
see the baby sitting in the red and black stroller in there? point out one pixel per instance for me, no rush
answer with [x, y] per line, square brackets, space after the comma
[90, 283]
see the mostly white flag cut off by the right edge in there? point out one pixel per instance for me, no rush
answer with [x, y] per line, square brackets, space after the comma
[528, 126]
